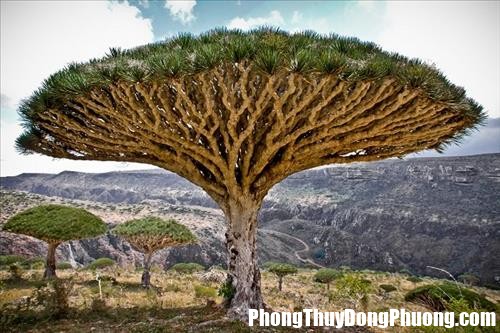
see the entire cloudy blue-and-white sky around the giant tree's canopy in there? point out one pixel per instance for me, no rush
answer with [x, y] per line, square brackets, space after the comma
[38, 38]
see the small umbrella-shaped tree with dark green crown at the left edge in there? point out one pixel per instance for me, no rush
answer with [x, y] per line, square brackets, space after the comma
[55, 224]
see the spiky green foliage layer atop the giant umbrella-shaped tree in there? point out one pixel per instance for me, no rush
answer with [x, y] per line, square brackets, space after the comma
[271, 50]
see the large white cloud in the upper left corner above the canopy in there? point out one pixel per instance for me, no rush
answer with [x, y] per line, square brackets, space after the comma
[39, 38]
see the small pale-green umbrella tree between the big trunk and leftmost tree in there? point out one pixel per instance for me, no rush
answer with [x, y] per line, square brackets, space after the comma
[151, 234]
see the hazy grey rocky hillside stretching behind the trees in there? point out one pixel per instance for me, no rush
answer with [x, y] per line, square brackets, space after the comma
[389, 215]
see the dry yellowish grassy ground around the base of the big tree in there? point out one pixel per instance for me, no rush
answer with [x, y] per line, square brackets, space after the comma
[175, 305]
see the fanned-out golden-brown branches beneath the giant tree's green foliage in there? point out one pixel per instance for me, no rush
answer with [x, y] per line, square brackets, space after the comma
[236, 131]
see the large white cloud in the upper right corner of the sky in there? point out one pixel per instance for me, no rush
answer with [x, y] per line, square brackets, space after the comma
[461, 38]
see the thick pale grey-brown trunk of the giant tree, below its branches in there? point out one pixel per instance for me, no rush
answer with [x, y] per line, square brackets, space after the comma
[243, 272]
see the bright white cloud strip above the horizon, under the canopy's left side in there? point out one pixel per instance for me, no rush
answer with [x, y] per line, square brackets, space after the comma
[11, 163]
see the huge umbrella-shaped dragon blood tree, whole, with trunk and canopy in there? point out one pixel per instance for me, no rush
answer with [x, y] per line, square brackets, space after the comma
[237, 112]
